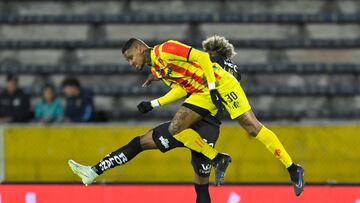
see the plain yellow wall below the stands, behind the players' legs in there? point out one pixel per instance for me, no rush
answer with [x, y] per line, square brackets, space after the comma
[330, 154]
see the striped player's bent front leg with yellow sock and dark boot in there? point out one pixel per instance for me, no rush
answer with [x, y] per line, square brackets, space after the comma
[179, 128]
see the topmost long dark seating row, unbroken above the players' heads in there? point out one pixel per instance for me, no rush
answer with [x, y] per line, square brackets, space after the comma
[180, 18]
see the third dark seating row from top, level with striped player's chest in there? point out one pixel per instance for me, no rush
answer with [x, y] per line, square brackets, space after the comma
[108, 69]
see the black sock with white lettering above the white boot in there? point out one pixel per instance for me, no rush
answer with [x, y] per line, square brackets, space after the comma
[119, 157]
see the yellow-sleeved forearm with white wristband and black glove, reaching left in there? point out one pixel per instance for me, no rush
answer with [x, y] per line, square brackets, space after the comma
[176, 92]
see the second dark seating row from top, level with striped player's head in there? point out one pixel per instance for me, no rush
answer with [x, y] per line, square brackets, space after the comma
[242, 44]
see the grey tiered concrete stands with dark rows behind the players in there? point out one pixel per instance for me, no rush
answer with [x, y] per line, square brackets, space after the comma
[308, 51]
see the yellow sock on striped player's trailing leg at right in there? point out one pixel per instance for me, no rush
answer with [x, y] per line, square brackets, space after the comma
[273, 144]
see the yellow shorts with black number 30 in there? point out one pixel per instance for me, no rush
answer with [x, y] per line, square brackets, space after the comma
[230, 90]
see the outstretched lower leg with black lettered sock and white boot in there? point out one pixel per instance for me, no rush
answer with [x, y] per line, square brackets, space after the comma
[116, 158]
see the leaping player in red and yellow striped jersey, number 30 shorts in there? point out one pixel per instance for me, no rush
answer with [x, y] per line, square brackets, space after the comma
[208, 83]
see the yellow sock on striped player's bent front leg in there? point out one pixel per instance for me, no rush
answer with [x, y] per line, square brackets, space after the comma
[192, 140]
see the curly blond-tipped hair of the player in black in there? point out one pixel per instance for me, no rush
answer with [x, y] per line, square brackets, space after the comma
[220, 45]
